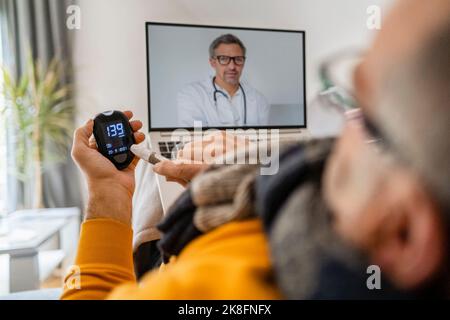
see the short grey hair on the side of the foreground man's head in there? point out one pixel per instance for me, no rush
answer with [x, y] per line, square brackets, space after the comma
[416, 111]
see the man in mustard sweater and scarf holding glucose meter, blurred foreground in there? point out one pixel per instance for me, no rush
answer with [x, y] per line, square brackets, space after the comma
[383, 198]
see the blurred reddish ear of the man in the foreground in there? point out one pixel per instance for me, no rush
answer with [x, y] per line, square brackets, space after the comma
[411, 242]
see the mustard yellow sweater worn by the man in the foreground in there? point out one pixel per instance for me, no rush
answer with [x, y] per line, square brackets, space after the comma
[231, 262]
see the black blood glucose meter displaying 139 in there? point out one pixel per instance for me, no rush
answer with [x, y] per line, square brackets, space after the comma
[114, 137]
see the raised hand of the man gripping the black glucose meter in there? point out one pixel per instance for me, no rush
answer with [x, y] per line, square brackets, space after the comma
[110, 190]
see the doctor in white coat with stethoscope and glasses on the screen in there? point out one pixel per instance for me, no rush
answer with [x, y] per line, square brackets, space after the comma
[223, 100]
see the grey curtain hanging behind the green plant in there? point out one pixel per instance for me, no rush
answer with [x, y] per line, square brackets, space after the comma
[39, 26]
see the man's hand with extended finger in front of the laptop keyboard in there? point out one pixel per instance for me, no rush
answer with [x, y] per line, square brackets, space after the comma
[196, 156]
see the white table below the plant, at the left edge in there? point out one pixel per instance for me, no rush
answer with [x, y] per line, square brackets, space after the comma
[28, 231]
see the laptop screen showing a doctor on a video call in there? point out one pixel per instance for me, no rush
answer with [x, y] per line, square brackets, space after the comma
[222, 77]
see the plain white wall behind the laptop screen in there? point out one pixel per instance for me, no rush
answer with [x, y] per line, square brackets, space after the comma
[110, 47]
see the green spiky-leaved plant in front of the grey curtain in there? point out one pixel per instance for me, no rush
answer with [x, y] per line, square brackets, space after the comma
[40, 110]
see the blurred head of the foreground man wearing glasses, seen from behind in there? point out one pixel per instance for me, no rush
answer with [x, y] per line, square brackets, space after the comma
[388, 178]
